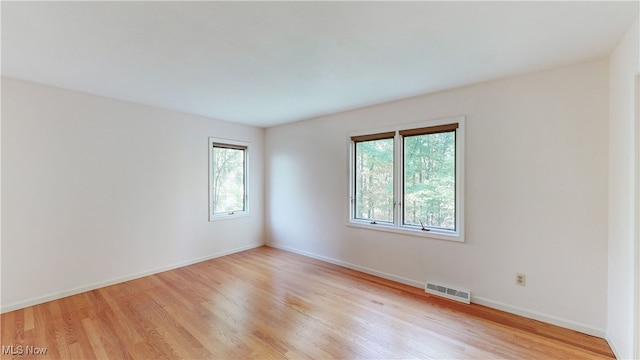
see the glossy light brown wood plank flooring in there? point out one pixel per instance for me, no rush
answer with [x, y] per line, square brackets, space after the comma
[271, 304]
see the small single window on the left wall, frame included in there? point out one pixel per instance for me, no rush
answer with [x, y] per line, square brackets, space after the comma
[227, 178]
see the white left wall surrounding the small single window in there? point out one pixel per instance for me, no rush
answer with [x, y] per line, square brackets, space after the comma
[97, 190]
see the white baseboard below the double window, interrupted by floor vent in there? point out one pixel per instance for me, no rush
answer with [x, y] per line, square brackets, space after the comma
[474, 299]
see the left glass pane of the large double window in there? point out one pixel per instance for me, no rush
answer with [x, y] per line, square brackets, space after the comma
[374, 180]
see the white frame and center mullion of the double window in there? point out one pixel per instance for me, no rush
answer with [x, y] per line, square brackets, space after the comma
[397, 226]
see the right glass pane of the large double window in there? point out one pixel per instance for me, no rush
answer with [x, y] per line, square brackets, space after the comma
[430, 180]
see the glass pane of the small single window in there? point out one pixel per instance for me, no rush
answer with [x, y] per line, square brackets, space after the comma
[228, 180]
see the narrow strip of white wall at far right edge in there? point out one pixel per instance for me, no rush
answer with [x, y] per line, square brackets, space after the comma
[624, 67]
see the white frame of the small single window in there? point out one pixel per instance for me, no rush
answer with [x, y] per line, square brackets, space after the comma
[235, 214]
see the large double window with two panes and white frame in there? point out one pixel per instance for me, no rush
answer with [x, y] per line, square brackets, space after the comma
[409, 179]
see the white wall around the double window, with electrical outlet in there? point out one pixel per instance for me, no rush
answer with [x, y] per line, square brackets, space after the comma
[536, 195]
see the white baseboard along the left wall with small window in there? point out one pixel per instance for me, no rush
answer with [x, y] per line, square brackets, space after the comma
[81, 289]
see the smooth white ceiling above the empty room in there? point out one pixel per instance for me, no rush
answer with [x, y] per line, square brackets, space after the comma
[268, 63]
